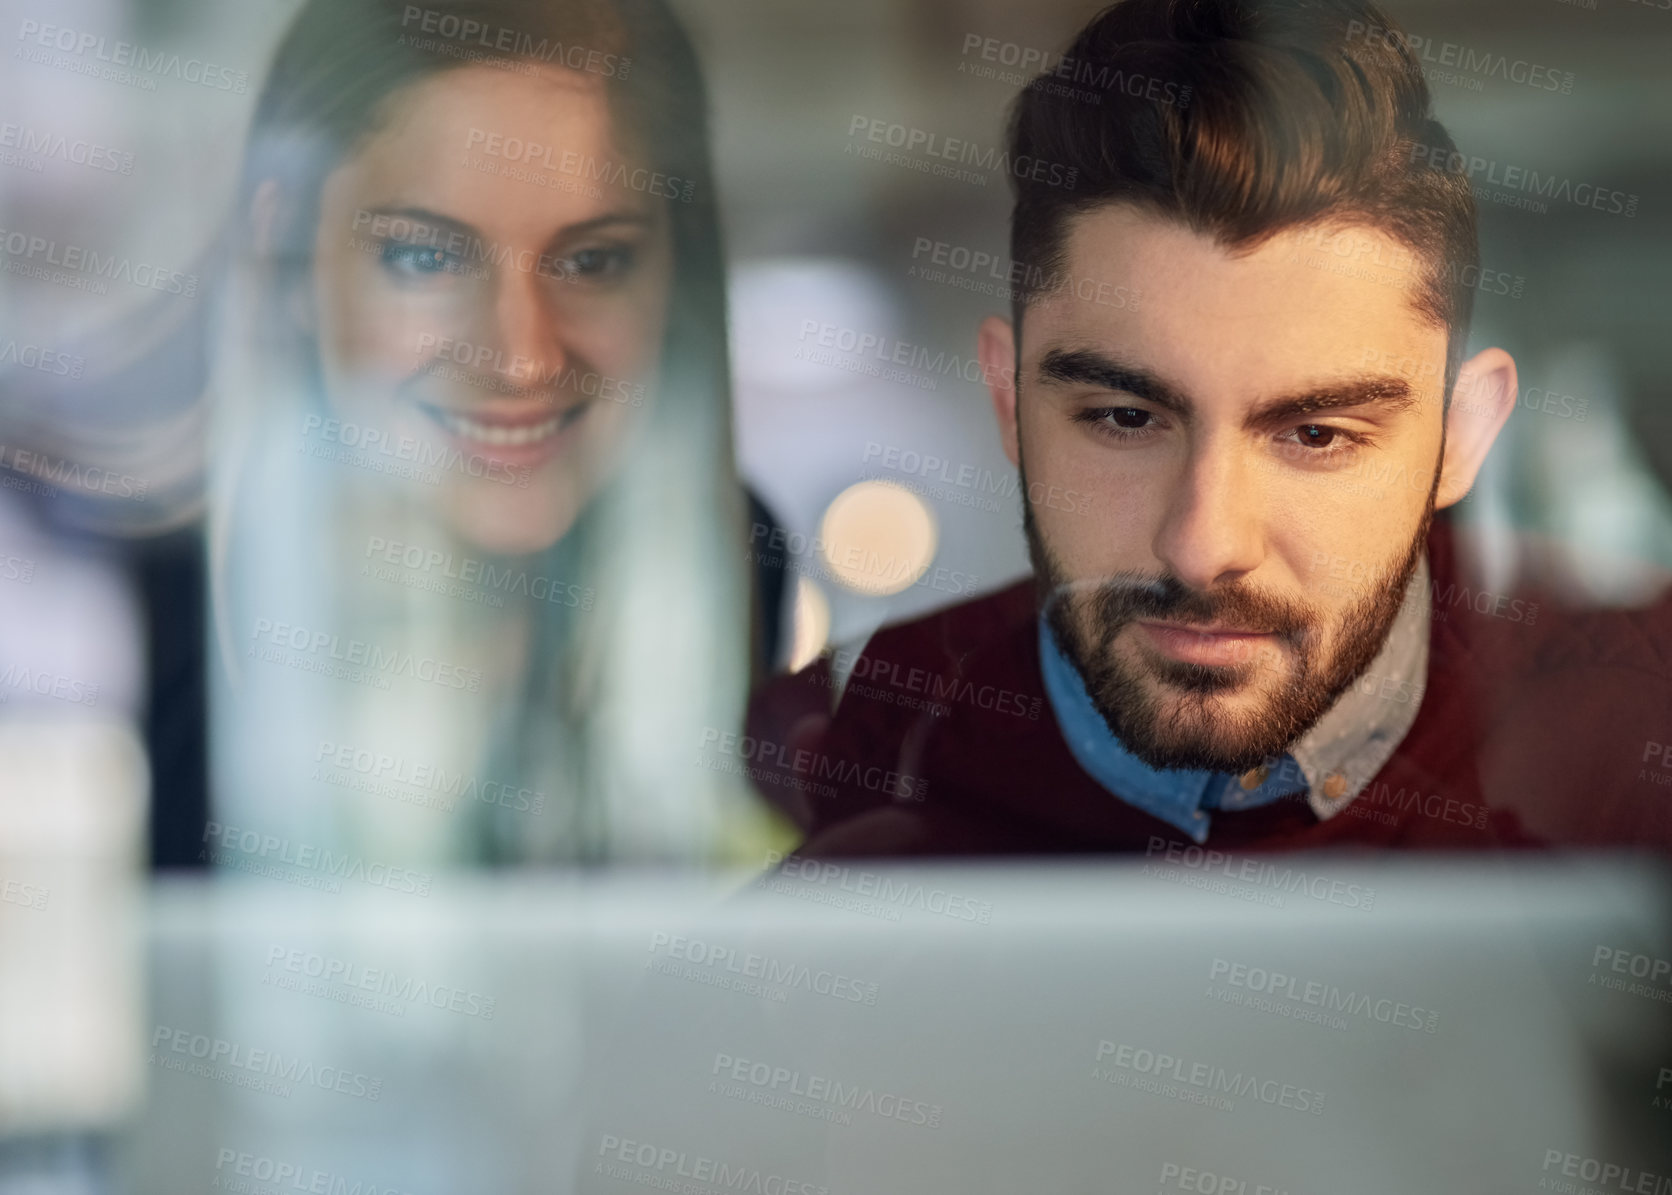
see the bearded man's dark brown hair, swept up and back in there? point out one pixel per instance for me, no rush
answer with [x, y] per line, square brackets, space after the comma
[1243, 119]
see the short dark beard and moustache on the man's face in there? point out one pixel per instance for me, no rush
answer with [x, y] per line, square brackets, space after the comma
[1183, 731]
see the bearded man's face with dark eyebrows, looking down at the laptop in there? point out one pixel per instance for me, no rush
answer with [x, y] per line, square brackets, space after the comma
[1253, 482]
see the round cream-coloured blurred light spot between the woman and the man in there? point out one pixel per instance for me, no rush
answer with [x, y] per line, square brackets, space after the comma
[879, 537]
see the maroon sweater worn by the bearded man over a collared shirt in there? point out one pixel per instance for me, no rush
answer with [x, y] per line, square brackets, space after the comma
[1539, 728]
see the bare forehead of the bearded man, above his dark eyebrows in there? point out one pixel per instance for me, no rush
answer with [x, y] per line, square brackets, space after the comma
[1257, 320]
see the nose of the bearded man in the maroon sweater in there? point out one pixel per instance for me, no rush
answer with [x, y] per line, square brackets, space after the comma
[1211, 531]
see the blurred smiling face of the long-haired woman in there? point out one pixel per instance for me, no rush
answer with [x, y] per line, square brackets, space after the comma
[491, 288]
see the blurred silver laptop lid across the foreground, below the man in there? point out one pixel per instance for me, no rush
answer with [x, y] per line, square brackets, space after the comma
[1228, 1027]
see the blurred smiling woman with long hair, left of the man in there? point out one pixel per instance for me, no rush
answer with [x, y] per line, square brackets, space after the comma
[476, 531]
